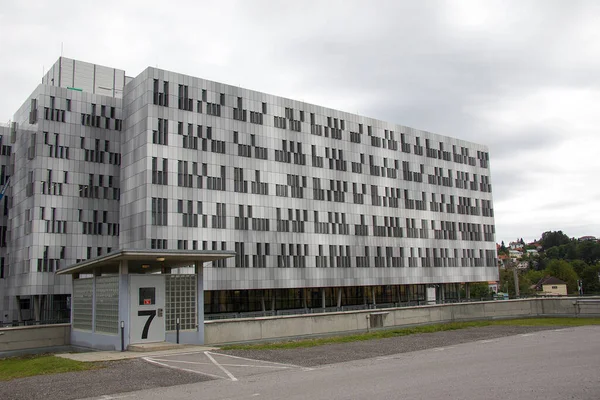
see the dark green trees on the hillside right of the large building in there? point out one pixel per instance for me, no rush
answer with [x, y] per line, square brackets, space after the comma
[567, 259]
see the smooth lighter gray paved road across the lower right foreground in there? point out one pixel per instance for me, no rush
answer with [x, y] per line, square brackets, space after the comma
[553, 364]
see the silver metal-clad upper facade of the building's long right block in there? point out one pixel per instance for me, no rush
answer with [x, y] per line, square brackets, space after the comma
[339, 212]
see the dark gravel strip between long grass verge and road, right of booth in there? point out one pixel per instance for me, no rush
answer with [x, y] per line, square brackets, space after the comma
[337, 353]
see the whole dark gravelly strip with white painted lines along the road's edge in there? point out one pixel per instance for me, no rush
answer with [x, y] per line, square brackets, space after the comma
[120, 377]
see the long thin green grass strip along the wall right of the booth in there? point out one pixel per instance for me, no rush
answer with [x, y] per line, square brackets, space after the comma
[388, 333]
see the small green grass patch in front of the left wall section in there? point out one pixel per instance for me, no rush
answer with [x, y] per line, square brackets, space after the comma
[21, 367]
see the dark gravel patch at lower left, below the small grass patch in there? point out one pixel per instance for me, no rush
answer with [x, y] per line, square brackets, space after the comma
[116, 377]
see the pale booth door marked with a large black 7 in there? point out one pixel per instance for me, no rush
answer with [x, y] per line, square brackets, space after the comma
[147, 305]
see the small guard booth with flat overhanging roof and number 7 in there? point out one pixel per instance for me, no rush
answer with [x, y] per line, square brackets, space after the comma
[131, 297]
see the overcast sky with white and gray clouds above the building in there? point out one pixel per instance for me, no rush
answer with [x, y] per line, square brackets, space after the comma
[522, 77]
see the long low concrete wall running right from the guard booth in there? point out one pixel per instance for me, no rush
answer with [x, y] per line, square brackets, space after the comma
[266, 328]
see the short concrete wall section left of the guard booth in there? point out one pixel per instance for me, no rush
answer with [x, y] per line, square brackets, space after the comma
[31, 337]
